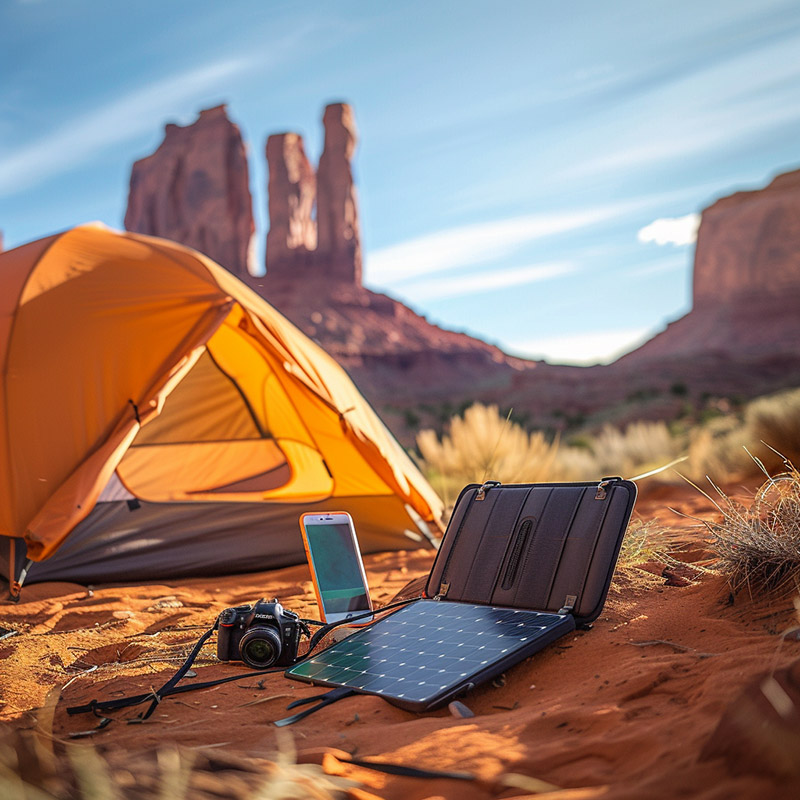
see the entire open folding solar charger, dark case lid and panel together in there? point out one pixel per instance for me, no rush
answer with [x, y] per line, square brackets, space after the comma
[544, 553]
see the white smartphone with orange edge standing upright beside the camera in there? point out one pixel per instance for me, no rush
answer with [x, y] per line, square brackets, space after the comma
[337, 571]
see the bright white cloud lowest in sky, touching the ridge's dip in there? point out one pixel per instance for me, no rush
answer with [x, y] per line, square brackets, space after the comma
[589, 347]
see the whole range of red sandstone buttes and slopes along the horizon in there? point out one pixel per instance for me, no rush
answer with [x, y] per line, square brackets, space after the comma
[740, 338]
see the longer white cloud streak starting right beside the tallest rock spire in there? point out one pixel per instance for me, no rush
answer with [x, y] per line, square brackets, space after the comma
[468, 245]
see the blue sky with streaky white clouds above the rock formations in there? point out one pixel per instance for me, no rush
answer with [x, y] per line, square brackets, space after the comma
[528, 171]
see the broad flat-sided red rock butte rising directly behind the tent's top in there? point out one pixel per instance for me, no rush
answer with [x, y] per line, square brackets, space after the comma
[195, 190]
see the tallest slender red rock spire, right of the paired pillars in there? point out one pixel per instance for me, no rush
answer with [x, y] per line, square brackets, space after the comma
[338, 235]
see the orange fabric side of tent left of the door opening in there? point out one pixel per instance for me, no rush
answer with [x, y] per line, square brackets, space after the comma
[109, 331]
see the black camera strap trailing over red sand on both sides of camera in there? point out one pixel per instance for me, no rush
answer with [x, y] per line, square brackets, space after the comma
[170, 687]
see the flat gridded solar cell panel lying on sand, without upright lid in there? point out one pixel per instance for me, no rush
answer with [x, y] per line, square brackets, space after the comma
[428, 652]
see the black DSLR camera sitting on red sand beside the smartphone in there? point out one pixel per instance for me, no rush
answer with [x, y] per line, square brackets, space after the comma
[262, 635]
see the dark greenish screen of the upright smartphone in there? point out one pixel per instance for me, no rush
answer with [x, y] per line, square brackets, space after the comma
[336, 563]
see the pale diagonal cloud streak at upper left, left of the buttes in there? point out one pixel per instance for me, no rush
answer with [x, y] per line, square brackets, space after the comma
[121, 120]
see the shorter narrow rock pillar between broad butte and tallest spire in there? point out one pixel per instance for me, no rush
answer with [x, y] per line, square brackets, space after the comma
[292, 187]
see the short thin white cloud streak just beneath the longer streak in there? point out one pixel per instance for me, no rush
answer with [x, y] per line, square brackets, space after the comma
[488, 281]
